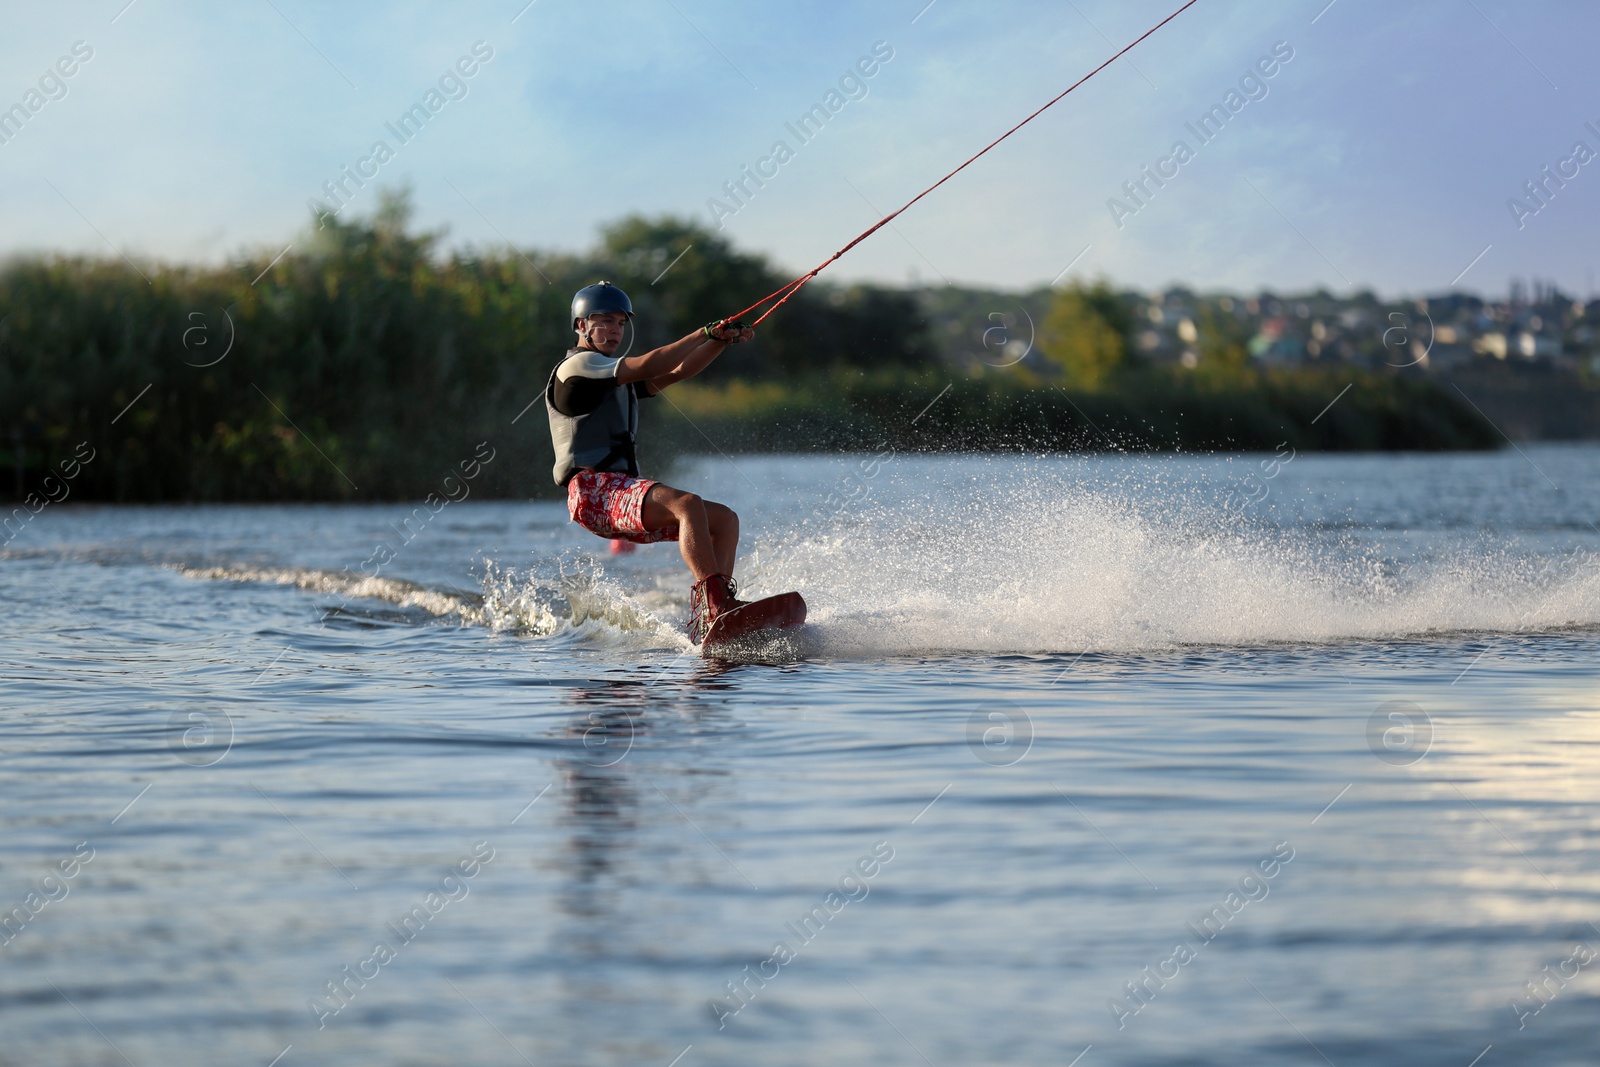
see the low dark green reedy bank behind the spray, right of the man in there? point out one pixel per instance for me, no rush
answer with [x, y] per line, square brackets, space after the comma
[1338, 410]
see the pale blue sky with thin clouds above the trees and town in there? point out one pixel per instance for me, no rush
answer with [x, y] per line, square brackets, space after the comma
[1382, 156]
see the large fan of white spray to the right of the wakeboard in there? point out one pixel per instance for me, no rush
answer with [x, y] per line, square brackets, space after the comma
[1044, 572]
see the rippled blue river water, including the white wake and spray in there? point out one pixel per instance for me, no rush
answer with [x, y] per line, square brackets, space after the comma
[1081, 761]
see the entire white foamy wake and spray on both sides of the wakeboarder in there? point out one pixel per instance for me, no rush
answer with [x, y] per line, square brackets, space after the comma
[1036, 569]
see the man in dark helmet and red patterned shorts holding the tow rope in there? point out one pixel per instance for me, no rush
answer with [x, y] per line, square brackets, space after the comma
[593, 401]
